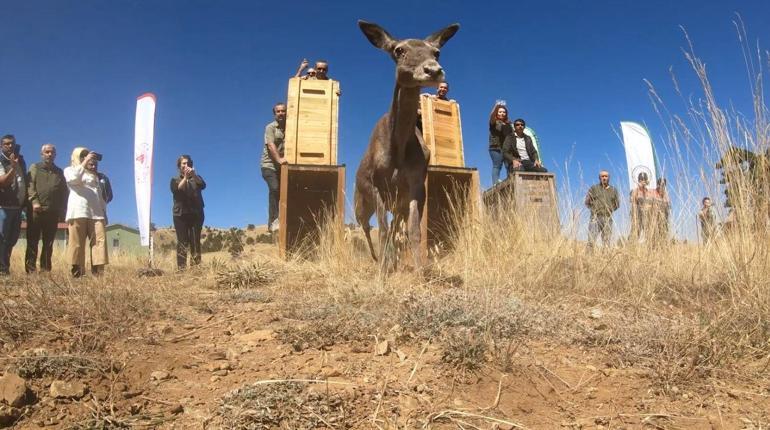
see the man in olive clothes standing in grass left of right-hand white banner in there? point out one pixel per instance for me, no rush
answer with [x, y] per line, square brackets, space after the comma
[602, 200]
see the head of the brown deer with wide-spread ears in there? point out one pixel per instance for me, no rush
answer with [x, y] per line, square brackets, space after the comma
[416, 60]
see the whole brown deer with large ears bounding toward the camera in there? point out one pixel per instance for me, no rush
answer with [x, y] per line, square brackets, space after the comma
[391, 176]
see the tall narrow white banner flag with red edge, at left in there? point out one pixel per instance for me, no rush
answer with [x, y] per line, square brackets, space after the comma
[144, 134]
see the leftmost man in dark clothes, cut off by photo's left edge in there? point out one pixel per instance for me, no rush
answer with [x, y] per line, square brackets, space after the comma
[13, 195]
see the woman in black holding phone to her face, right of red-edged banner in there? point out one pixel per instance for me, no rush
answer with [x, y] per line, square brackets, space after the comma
[187, 189]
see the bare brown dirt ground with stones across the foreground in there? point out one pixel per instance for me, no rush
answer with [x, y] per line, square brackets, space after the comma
[216, 361]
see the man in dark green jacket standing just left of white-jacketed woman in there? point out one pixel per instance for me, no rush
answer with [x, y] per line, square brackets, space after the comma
[47, 193]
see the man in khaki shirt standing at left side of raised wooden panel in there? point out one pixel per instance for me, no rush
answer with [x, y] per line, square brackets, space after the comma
[272, 159]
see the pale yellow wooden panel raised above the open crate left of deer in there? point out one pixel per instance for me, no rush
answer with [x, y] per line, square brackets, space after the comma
[311, 122]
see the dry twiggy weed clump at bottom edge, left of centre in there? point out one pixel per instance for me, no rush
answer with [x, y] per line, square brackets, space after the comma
[283, 405]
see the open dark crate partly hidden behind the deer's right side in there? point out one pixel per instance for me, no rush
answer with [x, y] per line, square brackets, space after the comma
[449, 191]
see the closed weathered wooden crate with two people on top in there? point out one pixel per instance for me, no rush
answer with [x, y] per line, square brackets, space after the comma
[531, 195]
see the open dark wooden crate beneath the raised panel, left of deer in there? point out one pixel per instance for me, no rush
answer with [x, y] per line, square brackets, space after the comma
[309, 195]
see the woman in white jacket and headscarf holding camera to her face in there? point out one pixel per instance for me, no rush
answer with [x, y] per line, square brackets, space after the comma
[86, 213]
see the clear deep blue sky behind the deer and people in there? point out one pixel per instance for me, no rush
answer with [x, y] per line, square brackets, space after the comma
[71, 72]
